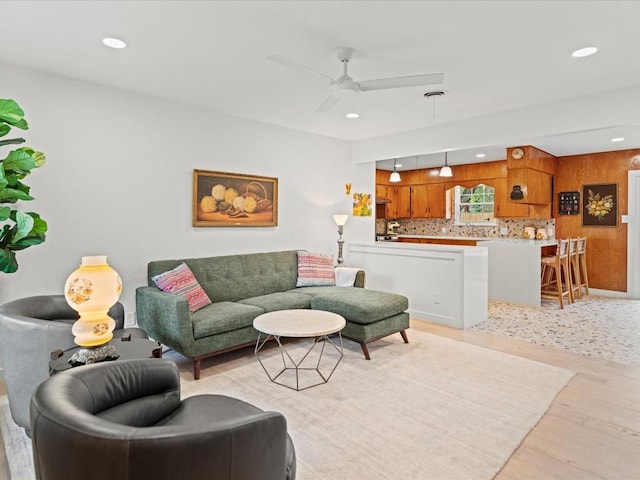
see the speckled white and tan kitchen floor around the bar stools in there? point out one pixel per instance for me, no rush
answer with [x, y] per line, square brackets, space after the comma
[594, 326]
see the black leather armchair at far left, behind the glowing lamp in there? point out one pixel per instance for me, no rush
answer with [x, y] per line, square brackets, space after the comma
[30, 329]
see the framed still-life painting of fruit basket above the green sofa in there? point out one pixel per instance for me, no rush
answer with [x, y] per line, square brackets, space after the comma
[222, 199]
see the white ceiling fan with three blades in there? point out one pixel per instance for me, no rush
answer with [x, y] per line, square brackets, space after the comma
[345, 86]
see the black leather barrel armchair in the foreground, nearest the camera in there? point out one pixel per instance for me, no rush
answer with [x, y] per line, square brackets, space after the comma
[125, 419]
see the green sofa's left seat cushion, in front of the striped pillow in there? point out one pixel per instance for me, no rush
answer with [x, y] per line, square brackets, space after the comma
[222, 317]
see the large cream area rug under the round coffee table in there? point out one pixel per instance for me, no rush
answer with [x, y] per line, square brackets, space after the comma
[434, 408]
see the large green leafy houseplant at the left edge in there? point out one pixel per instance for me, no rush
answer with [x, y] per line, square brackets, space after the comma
[20, 229]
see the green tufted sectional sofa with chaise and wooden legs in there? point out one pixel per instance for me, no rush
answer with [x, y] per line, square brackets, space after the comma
[241, 287]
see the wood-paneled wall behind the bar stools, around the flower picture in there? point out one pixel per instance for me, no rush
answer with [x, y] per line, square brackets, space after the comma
[606, 246]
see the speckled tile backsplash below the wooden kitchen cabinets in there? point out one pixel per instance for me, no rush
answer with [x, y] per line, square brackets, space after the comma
[442, 226]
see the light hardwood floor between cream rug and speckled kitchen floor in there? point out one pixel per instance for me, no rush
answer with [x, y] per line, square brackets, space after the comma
[592, 429]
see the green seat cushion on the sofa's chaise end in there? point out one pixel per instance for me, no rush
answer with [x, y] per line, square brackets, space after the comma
[360, 305]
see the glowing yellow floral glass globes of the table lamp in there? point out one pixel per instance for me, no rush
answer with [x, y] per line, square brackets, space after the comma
[92, 290]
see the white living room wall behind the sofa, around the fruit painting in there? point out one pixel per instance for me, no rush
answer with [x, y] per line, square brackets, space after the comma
[118, 181]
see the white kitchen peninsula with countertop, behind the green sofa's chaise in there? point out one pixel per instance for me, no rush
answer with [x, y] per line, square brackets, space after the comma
[441, 279]
